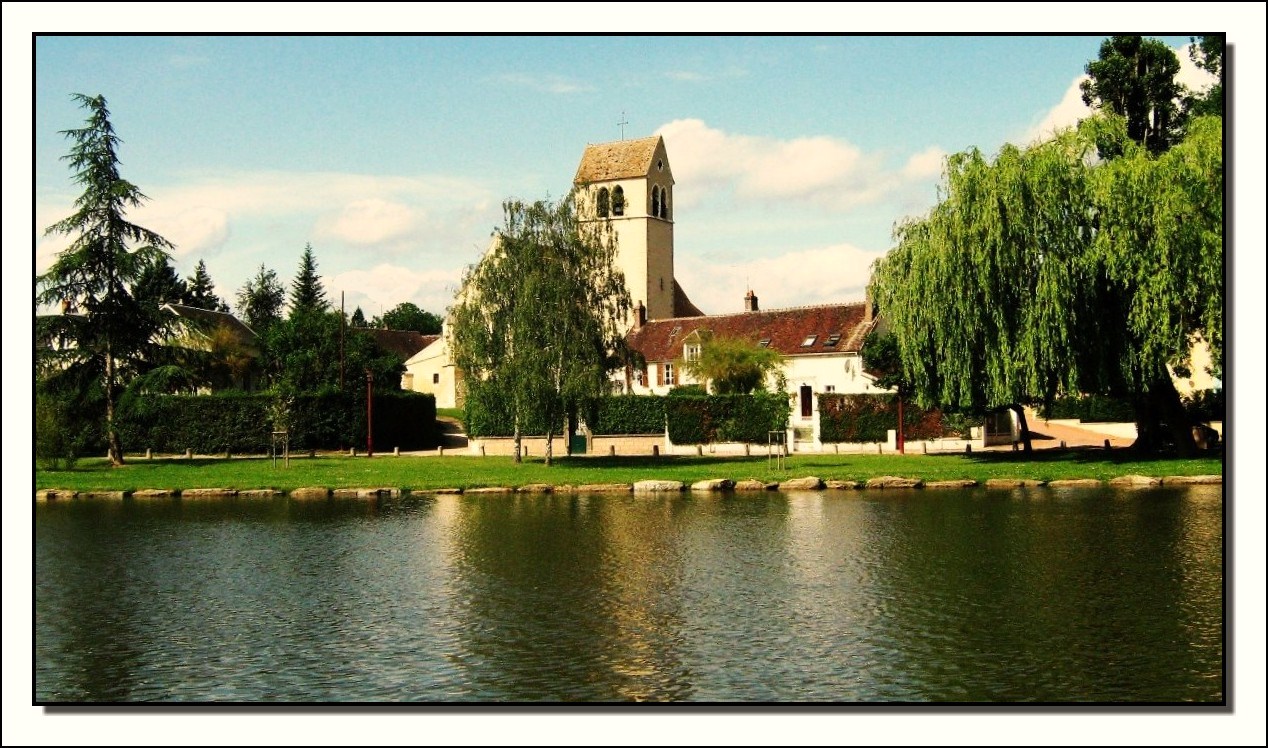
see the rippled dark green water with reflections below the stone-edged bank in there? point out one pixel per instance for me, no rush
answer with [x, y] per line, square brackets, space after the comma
[898, 596]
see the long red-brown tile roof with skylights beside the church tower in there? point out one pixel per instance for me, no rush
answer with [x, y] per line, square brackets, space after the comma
[661, 340]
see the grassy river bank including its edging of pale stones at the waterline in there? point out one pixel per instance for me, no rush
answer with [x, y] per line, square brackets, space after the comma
[405, 475]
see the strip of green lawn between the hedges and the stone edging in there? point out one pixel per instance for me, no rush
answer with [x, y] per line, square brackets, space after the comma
[422, 474]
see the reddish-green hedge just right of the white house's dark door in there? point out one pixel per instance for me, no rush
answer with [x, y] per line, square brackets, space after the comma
[870, 418]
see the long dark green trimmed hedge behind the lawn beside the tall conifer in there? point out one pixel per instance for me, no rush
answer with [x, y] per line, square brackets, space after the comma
[243, 424]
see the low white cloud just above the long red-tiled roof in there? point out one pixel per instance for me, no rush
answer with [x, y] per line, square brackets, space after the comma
[832, 274]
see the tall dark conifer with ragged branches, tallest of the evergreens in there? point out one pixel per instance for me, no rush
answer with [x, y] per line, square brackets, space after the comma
[93, 276]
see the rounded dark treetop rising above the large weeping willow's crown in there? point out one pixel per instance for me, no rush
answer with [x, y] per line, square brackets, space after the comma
[1135, 79]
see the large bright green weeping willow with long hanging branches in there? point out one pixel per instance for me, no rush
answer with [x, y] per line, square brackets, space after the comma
[1045, 272]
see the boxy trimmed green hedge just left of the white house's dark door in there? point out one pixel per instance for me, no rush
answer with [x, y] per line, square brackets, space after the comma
[726, 418]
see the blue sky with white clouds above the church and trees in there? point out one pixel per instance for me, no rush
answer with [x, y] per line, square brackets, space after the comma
[794, 157]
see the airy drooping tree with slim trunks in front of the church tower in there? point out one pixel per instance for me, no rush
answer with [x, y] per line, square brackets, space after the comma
[540, 319]
